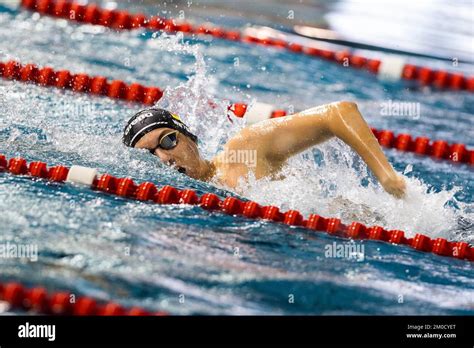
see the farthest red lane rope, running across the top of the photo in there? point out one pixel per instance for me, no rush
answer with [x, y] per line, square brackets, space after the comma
[391, 68]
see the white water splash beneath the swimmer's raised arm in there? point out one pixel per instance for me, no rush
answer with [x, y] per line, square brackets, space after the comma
[341, 186]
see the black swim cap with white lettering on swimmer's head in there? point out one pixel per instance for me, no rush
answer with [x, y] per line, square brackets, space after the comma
[150, 119]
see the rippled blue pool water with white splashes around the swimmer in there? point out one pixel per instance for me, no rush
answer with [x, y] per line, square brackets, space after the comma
[188, 261]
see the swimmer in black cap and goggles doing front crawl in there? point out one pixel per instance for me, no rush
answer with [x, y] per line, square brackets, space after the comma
[272, 141]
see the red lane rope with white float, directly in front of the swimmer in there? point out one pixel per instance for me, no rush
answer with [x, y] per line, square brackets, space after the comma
[147, 191]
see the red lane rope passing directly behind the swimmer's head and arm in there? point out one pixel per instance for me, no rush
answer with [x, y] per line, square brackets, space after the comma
[135, 92]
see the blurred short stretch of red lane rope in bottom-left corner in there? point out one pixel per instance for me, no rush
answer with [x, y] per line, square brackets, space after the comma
[39, 300]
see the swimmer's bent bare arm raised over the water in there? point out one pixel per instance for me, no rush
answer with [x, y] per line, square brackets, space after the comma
[281, 138]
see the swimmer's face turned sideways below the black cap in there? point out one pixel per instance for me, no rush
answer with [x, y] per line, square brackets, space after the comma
[184, 156]
